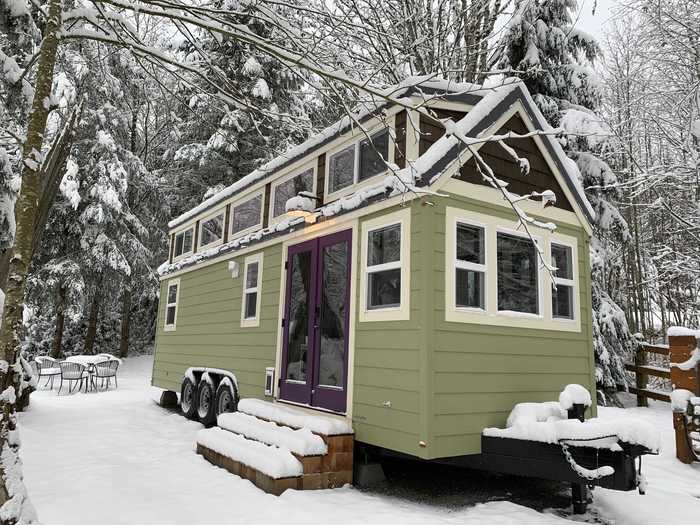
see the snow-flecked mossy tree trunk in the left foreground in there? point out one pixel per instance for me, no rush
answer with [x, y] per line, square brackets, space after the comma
[15, 504]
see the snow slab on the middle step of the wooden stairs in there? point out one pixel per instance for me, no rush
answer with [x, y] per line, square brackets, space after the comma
[299, 441]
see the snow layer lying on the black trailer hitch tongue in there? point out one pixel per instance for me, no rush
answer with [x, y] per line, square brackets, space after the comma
[594, 432]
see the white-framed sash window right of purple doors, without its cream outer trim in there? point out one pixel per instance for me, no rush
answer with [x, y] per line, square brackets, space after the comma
[384, 267]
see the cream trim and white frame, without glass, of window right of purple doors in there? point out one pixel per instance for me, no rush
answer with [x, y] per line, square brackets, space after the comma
[403, 311]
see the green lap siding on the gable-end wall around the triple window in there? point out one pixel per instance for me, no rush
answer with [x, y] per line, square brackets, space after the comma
[480, 371]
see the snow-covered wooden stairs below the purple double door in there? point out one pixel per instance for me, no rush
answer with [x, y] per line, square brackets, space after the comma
[278, 447]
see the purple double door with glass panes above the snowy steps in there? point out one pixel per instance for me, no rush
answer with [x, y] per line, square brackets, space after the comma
[316, 322]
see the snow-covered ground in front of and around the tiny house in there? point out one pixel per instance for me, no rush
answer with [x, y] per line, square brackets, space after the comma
[117, 458]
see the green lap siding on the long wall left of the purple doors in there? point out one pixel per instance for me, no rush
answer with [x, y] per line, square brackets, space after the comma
[209, 331]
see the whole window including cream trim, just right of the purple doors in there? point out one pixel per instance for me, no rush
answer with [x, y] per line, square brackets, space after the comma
[385, 267]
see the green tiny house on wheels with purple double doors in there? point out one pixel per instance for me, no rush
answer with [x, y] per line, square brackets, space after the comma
[375, 275]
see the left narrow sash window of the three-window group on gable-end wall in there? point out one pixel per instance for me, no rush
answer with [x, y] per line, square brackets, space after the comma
[470, 267]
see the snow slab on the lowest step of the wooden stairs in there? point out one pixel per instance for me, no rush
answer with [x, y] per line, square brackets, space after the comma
[272, 461]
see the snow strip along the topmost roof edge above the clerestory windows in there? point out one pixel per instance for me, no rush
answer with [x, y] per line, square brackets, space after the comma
[411, 85]
